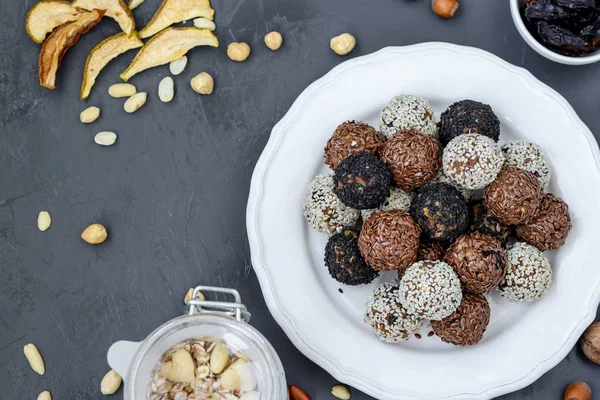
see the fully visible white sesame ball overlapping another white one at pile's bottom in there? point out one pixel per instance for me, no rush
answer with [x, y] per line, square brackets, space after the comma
[430, 290]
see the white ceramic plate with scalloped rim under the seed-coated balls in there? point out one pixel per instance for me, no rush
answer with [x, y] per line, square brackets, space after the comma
[522, 341]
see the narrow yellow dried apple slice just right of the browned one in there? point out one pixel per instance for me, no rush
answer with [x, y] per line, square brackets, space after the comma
[102, 54]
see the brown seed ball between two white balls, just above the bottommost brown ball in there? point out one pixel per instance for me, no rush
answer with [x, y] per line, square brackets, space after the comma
[479, 260]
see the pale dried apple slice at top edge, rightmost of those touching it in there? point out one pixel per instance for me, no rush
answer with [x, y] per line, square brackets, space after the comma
[172, 11]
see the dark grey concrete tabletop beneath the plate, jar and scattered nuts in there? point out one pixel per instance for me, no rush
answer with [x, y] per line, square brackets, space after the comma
[173, 190]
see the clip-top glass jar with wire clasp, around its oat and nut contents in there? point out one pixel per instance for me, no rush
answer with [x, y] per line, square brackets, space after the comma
[221, 321]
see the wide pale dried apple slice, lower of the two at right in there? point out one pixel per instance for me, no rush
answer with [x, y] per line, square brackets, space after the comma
[168, 45]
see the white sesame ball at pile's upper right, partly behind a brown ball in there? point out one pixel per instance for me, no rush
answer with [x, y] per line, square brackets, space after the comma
[530, 157]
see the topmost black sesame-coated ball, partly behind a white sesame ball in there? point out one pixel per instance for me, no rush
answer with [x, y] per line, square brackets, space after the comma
[468, 116]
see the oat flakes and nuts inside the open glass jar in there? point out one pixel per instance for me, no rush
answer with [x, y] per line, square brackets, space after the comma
[204, 369]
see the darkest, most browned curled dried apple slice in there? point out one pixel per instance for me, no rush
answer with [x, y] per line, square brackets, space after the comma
[60, 41]
